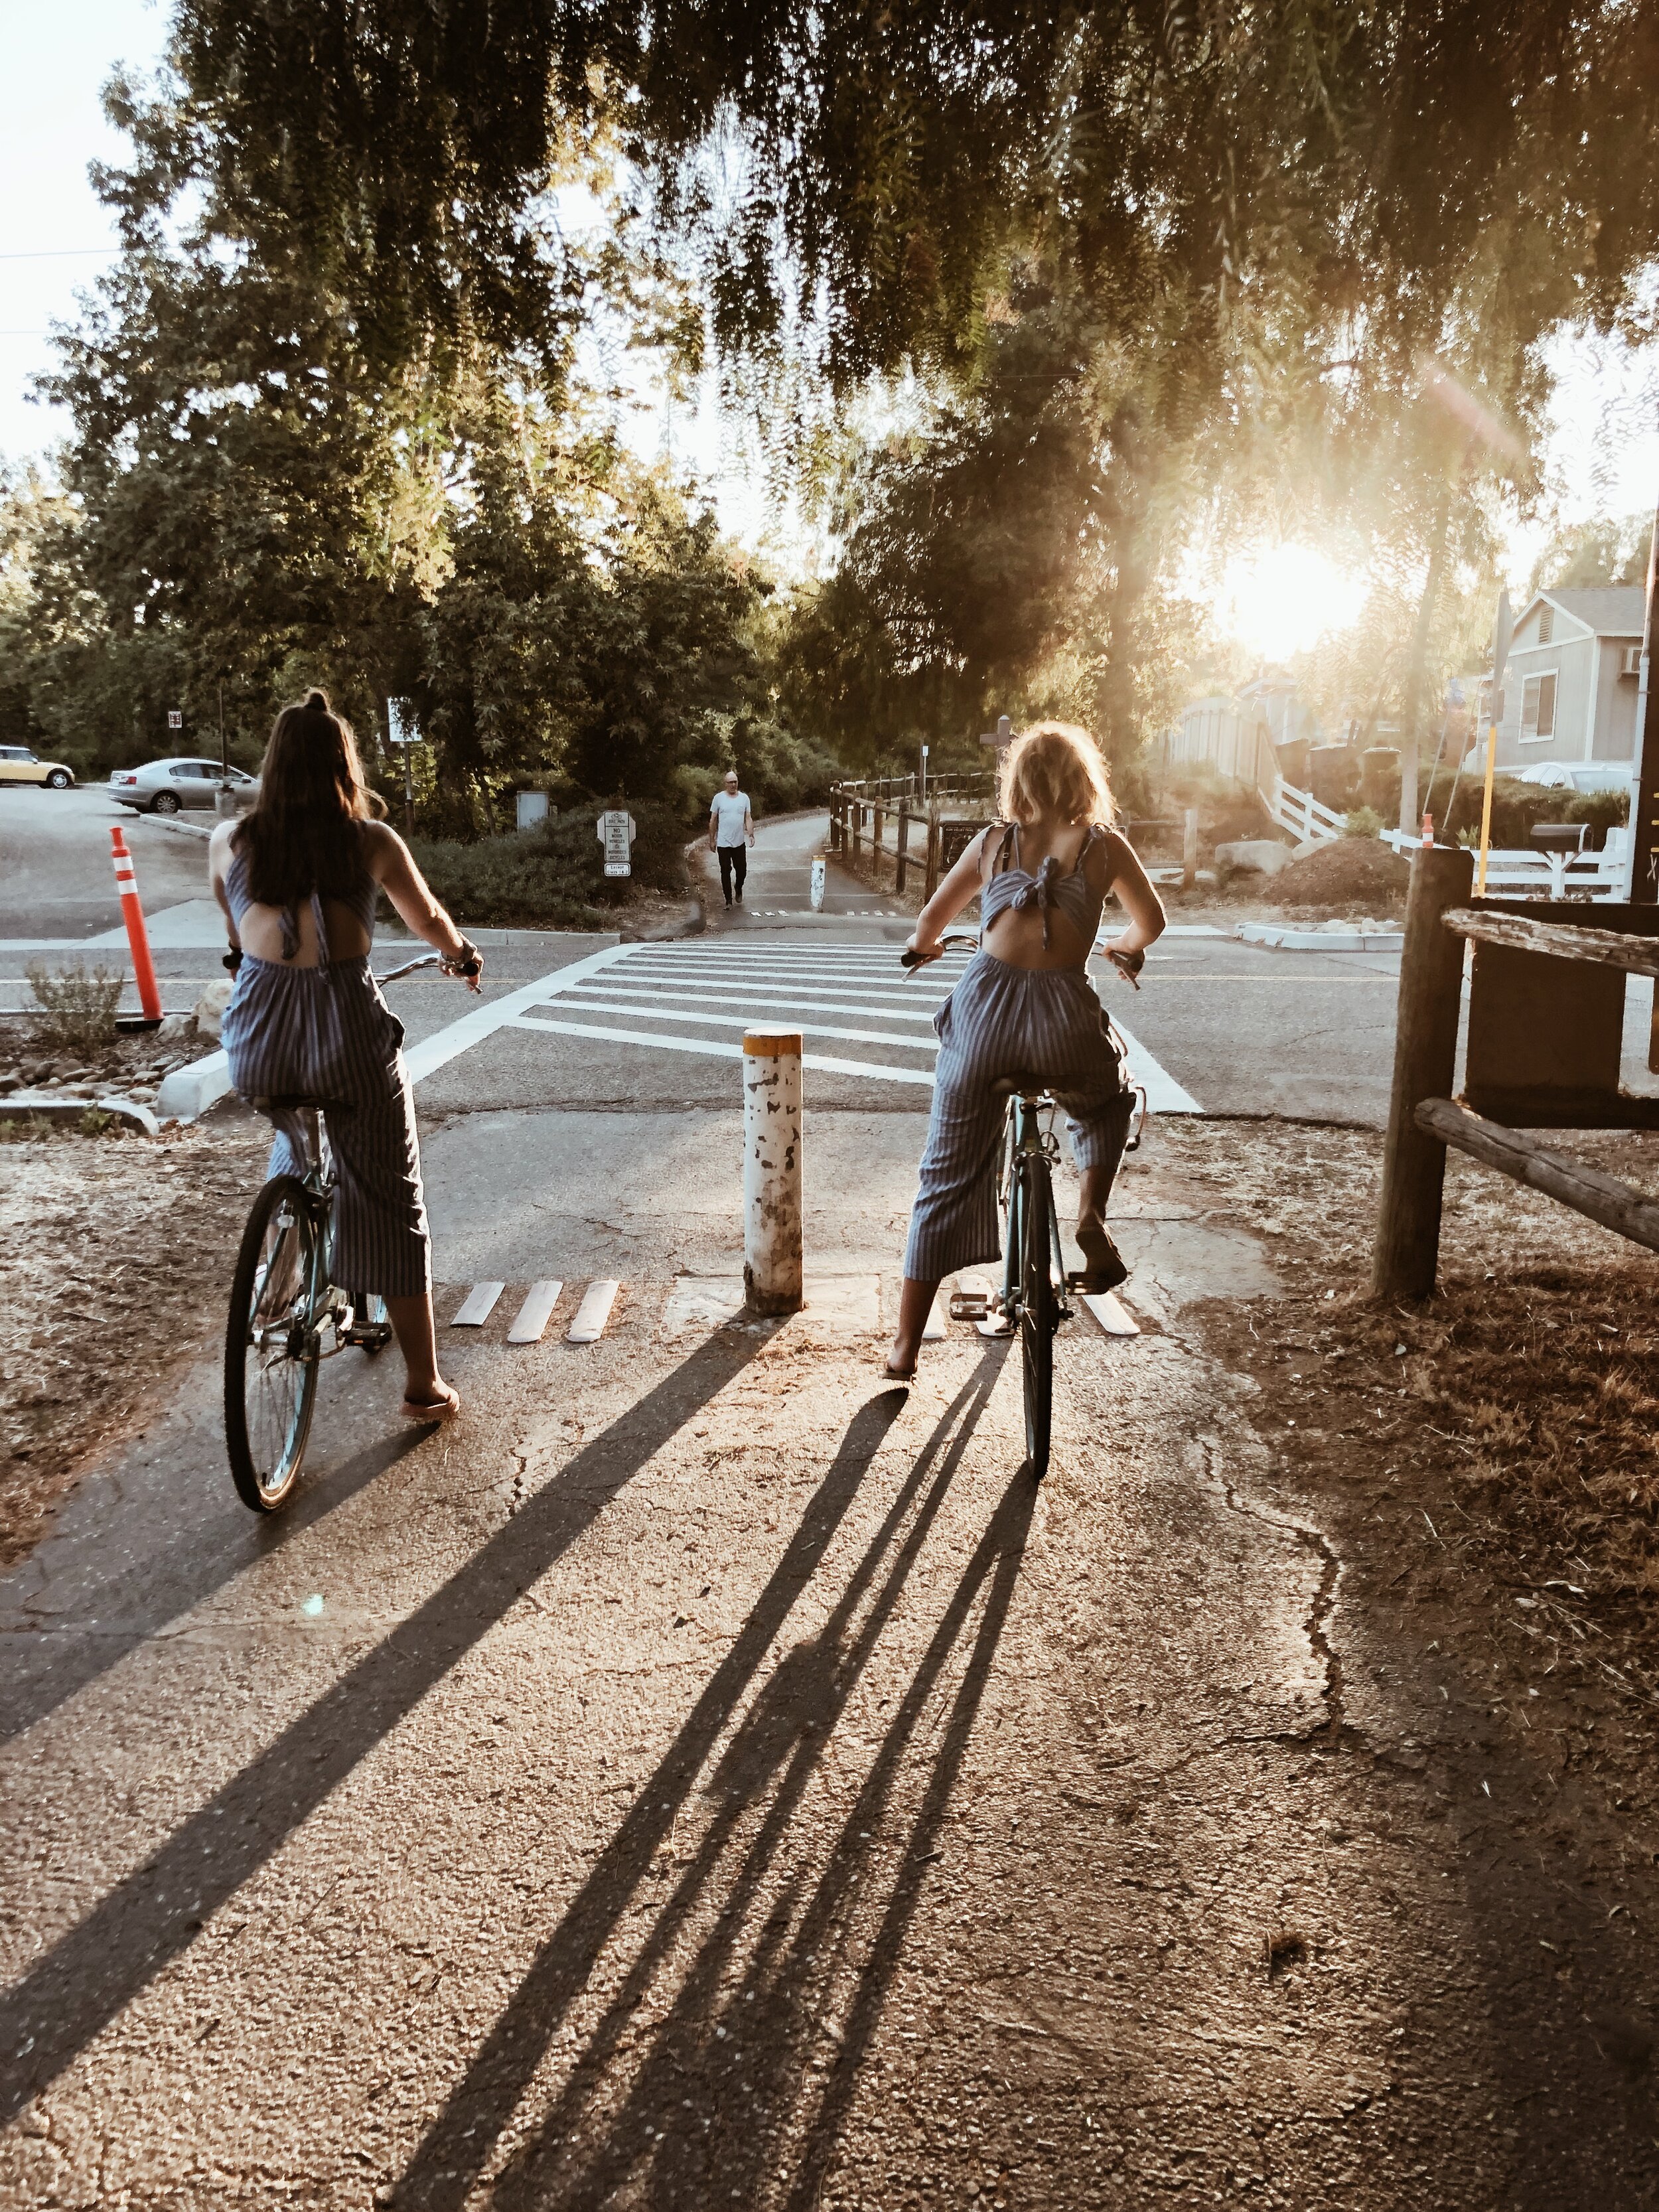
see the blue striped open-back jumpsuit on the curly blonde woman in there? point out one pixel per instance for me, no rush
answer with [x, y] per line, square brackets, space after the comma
[1001, 1023]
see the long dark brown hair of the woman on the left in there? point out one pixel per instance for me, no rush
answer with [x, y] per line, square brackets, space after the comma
[313, 802]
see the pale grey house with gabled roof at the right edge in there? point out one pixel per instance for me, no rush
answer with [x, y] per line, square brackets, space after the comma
[1572, 680]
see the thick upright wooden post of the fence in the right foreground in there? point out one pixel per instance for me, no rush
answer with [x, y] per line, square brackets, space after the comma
[1426, 1058]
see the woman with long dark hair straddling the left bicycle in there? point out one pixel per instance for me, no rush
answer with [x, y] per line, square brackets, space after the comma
[300, 879]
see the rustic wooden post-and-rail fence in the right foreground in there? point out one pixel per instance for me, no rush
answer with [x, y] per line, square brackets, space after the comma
[1543, 1052]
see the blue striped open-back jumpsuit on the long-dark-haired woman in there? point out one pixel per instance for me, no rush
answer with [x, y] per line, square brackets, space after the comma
[328, 1034]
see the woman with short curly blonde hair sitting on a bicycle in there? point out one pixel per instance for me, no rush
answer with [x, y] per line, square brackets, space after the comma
[1025, 1008]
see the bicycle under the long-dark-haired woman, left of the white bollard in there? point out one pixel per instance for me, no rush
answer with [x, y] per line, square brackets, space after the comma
[289, 1313]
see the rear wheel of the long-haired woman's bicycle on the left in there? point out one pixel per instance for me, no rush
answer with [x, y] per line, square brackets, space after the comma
[271, 1361]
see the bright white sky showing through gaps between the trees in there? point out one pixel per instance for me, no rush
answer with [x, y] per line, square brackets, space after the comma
[54, 238]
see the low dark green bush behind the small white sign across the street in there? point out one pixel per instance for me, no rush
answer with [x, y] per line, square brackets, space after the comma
[554, 877]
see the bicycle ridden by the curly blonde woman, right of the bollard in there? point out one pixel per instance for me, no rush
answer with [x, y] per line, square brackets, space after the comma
[1034, 1297]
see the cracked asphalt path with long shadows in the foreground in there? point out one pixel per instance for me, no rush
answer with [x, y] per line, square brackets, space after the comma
[707, 1777]
